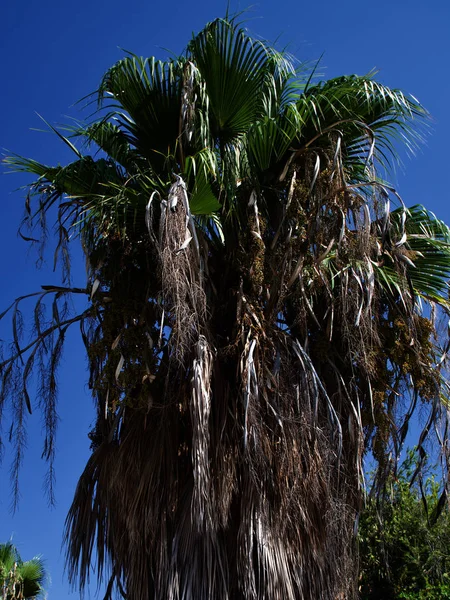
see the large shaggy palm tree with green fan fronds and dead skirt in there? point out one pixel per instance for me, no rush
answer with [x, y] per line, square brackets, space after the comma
[257, 318]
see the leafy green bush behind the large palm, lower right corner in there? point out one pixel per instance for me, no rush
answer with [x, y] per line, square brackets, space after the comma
[404, 541]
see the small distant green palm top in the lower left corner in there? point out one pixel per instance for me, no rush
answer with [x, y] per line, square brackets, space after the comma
[20, 580]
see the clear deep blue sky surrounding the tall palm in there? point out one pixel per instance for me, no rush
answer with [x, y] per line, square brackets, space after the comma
[54, 52]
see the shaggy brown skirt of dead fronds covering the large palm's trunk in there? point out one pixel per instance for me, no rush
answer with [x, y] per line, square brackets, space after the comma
[228, 466]
